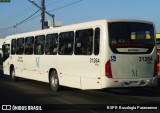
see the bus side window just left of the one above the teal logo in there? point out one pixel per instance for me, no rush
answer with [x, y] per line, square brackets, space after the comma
[29, 41]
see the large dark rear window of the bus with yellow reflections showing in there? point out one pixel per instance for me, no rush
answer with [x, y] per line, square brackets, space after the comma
[131, 34]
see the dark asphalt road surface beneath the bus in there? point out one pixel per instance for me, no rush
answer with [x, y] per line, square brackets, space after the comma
[28, 92]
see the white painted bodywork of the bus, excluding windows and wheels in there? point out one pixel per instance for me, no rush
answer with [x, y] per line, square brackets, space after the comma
[84, 71]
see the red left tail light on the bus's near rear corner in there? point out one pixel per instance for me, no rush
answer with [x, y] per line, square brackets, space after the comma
[108, 72]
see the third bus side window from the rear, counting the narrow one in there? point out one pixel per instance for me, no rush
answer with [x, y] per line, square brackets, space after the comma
[66, 40]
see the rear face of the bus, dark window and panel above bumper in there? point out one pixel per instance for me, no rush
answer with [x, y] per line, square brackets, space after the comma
[132, 50]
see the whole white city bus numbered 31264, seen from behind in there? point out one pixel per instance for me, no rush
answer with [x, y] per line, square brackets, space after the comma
[91, 55]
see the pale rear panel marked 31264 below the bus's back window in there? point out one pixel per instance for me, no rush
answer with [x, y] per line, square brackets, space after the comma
[132, 66]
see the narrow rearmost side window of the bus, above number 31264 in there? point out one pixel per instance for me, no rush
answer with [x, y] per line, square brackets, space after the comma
[97, 41]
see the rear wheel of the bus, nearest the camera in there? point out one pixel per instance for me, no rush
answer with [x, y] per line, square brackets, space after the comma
[53, 80]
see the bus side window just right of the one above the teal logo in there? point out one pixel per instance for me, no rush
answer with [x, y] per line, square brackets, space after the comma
[51, 45]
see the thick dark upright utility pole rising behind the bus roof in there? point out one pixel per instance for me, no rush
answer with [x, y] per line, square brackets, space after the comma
[43, 14]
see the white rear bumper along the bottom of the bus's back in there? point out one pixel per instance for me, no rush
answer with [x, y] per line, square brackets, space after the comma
[141, 82]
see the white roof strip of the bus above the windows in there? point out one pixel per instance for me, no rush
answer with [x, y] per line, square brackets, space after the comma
[83, 25]
